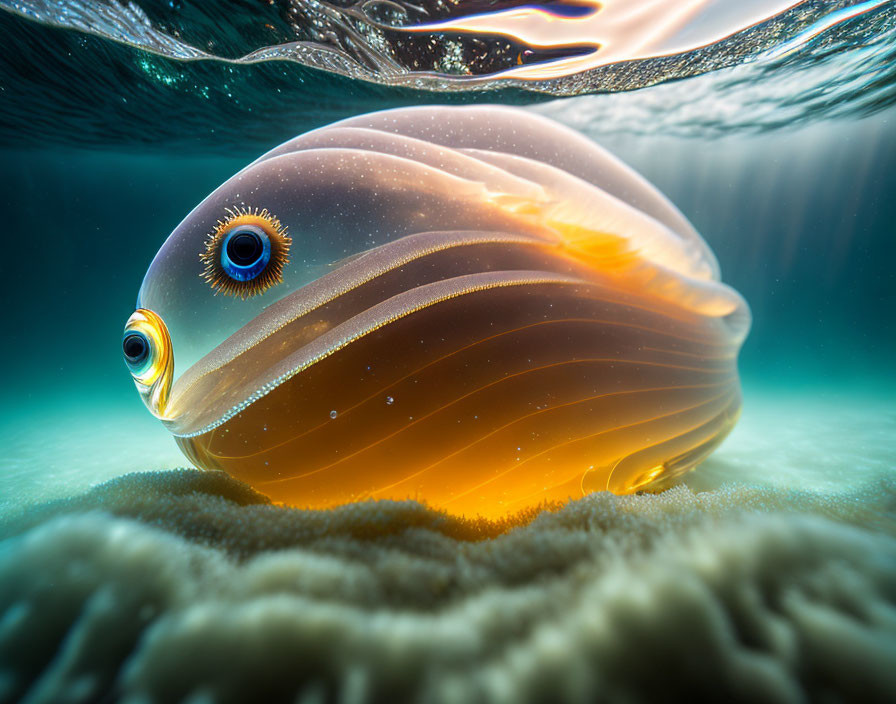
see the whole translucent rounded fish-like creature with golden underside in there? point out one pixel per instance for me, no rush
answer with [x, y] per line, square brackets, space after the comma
[470, 306]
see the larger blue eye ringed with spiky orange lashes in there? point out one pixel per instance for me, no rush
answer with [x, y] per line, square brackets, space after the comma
[246, 253]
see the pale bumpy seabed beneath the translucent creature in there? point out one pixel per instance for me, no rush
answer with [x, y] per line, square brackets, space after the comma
[770, 576]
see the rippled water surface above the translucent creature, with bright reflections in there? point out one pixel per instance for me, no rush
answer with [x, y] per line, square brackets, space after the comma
[242, 75]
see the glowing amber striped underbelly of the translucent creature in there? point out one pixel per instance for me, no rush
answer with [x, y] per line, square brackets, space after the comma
[492, 402]
